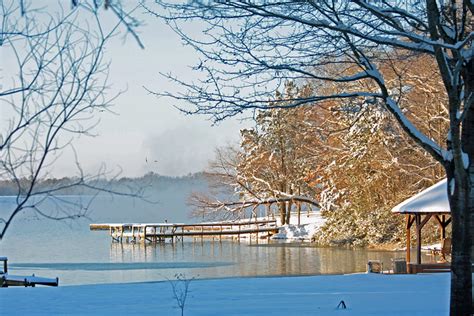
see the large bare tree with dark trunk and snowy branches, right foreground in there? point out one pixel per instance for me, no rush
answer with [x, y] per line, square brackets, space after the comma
[248, 49]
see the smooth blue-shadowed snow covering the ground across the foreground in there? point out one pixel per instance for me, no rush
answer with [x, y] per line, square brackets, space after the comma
[363, 294]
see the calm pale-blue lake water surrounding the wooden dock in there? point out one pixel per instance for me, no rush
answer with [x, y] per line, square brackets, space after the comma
[79, 256]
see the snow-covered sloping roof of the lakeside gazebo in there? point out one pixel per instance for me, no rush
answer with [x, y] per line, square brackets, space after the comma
[432, 200]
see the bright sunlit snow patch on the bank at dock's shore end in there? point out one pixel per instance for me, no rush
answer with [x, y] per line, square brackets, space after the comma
[310, 223]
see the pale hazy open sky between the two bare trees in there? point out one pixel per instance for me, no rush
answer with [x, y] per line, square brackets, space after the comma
[146, 133]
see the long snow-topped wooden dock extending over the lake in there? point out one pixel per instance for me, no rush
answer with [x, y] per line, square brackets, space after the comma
[159, 232]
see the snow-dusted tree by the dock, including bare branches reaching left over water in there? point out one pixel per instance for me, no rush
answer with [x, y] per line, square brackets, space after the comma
[271, 164]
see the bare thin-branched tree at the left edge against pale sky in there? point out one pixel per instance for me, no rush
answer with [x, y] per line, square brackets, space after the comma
[54, 85]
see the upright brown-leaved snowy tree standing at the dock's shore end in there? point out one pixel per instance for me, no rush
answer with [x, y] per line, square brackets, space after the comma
[275, 159]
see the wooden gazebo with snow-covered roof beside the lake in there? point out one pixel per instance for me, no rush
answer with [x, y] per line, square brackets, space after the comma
[419, 209]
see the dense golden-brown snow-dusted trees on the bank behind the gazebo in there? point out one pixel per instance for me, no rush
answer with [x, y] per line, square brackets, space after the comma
[368, 147]
